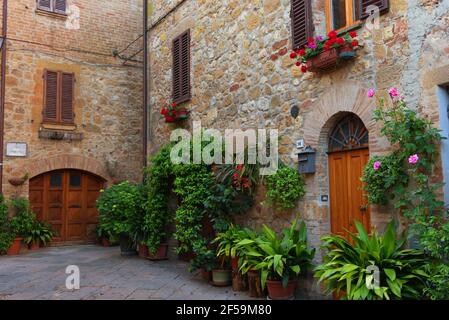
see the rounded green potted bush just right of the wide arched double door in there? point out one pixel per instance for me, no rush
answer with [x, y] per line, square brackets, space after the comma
[119, 209]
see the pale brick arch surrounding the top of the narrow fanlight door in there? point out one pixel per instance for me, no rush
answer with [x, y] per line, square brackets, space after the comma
[340, 98]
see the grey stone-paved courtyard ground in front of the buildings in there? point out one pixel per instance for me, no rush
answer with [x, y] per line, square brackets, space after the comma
[104, 275]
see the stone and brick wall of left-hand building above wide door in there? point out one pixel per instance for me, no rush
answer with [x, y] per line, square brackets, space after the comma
[108, 94]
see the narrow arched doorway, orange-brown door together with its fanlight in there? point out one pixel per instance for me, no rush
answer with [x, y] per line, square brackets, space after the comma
[348, 154]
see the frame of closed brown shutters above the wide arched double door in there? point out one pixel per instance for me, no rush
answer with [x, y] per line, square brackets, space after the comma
[59, 94]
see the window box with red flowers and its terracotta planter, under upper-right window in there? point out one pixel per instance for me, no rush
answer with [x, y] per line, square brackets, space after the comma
[324, 53]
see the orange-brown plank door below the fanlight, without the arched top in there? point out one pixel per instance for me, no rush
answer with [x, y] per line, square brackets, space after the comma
[347, 200]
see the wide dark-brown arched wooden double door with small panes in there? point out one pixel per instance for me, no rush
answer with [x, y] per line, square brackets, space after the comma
[66, 199]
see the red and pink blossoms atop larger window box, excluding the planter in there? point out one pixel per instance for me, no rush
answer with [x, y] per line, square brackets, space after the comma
[317, 45]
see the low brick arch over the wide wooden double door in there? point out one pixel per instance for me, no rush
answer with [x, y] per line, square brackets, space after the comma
[67, 161]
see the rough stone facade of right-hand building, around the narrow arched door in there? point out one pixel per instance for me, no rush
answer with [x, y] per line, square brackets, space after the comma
[242, 77]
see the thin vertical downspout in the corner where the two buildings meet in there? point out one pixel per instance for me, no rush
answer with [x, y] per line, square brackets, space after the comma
[145, 82]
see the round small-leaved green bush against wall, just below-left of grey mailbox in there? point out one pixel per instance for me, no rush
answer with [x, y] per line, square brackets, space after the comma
[285, 188]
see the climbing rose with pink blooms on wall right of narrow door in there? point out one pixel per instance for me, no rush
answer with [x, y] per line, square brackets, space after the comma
[406, 175]
